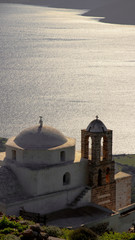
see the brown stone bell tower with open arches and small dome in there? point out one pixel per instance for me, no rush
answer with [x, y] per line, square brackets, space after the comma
[100, 165]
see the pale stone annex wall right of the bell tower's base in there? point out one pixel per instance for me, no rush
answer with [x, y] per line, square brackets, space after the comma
[123, 192]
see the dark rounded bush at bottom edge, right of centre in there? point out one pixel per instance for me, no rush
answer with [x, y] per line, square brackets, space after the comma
[82, 233]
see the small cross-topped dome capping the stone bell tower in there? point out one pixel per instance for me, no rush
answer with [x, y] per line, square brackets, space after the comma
[96, 126]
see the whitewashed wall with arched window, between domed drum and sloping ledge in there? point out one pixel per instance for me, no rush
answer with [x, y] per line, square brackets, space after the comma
[50, 179]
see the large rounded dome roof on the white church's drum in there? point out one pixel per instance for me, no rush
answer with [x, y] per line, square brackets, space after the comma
[40, 137]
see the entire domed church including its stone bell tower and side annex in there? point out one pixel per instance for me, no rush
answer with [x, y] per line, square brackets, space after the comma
[42, 172]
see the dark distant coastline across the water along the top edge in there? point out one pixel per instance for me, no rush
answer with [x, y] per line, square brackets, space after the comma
[111, 11]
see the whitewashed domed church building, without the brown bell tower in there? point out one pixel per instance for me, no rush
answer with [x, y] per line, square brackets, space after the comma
[41, 171]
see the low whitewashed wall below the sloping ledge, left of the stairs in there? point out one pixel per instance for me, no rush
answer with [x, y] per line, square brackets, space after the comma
[45, 204]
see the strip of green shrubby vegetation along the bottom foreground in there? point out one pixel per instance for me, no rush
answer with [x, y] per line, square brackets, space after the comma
[13, 228]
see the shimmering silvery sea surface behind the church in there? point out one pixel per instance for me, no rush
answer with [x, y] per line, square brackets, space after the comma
[67, 68]
